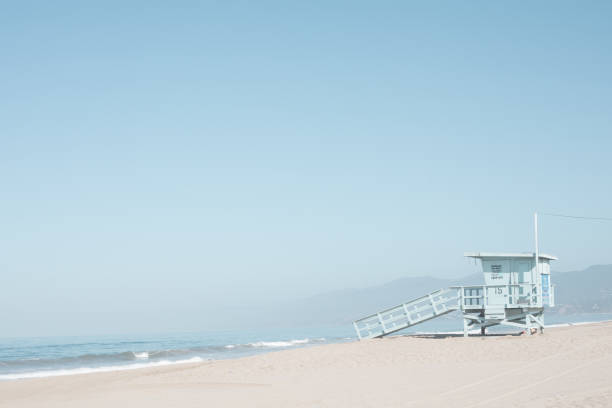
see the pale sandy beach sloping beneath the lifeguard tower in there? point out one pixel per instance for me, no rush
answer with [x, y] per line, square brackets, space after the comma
[564, 367]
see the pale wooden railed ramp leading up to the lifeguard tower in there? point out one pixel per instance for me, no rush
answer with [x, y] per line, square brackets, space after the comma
[408, 314]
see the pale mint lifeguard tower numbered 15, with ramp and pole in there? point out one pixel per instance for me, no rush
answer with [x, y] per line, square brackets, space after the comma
[517, 288]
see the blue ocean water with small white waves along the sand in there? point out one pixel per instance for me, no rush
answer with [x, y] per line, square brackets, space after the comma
[32, 357]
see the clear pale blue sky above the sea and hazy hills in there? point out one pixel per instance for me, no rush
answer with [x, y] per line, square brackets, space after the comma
[160, 160]
